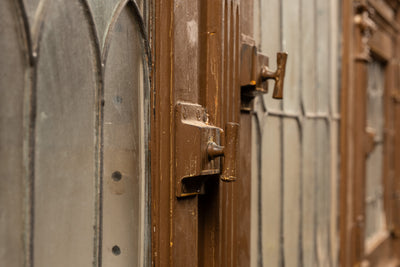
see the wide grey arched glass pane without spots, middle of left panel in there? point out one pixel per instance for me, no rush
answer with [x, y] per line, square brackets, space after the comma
[66, 170]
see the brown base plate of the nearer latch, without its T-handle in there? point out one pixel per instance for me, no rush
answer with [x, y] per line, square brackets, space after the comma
[193, 133]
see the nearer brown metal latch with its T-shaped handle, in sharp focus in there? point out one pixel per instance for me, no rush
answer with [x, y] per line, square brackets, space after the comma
[199, 153]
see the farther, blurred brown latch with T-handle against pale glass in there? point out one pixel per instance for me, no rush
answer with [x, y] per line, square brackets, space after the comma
[254, 73]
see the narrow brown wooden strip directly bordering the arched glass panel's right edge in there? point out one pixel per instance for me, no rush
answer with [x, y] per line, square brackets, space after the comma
[161, 135]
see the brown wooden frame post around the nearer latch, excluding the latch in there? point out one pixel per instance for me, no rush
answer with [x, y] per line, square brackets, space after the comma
[177, 237]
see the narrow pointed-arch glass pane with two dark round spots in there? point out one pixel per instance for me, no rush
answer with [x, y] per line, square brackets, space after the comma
[123, 205]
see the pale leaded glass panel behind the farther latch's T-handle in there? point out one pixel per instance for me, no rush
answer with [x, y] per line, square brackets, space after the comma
[308, 30]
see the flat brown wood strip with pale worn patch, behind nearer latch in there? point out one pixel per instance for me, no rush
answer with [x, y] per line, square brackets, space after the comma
[185, 84]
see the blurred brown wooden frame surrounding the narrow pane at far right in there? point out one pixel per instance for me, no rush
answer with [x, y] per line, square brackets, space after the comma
[353, 138]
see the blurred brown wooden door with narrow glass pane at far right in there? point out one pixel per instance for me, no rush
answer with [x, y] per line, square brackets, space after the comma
[369, 134]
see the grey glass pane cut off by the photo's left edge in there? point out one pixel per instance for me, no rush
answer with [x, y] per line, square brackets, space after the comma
[12, 165]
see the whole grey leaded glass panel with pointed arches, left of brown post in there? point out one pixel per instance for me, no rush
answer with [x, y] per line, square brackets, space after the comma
[74, 130]
